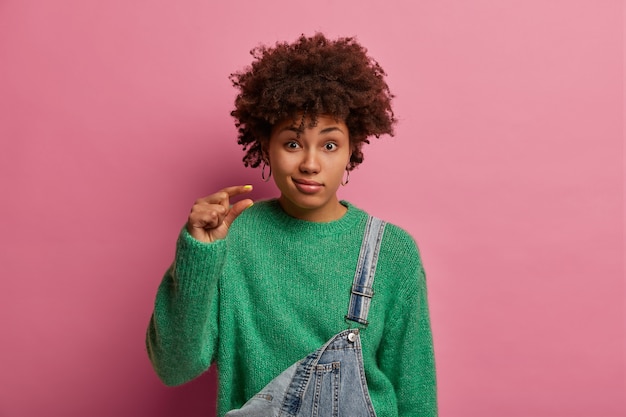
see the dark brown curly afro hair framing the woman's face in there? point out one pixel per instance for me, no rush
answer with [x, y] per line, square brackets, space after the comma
[312, 76]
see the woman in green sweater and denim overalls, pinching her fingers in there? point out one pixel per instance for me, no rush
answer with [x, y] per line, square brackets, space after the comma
[263, 289]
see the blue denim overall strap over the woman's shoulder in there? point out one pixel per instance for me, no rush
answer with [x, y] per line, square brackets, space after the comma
[362, 292]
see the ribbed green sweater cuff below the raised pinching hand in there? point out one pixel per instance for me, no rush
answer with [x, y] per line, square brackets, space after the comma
[197, 265]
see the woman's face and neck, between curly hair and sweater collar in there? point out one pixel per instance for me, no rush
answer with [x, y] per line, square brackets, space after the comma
[308, 166]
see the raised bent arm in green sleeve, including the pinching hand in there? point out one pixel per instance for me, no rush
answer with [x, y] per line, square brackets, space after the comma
[182, 334]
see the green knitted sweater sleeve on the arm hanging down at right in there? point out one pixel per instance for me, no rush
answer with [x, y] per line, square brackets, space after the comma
[407, 354]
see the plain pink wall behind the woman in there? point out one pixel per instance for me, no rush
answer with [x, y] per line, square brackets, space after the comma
[507, 167]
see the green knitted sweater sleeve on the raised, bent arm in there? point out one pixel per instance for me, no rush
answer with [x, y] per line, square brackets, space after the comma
[182, 334]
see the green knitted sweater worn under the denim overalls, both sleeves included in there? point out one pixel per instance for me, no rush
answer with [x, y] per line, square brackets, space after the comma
[275, 290]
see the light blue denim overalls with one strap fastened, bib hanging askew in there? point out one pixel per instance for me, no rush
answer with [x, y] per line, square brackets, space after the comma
[331, 380]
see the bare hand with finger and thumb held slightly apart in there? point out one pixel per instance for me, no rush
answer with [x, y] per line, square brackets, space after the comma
[211, 216]
